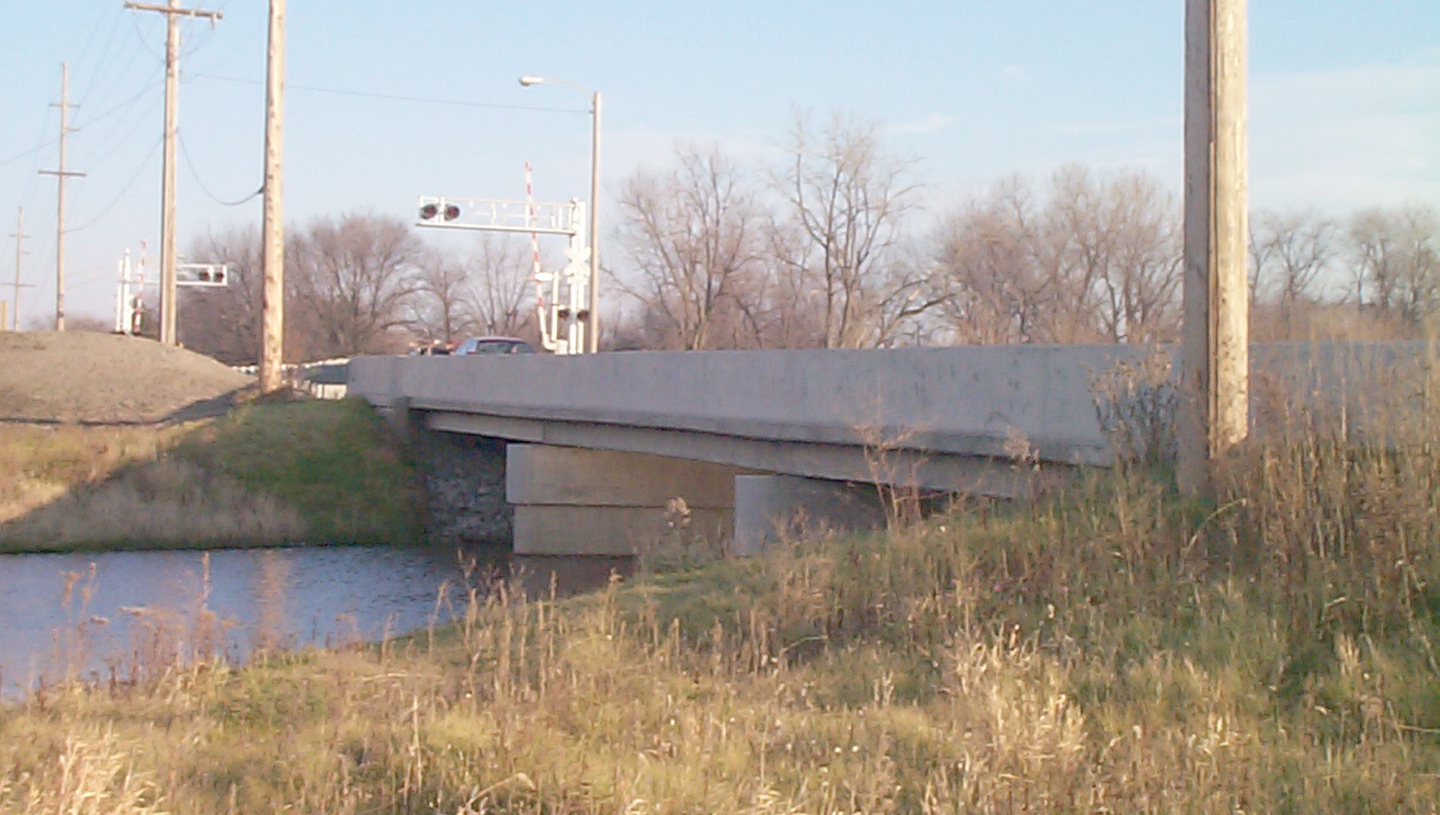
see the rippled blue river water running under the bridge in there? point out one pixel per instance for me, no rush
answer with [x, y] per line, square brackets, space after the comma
[109, 616]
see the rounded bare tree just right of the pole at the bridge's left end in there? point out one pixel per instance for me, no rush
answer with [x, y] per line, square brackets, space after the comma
[354, 279]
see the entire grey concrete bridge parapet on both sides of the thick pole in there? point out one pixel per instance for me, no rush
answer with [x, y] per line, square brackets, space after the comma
[983, 402]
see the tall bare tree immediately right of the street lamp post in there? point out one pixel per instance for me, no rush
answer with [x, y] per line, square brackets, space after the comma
[692, 235]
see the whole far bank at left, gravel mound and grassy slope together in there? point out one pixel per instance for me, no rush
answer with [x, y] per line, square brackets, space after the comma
[122, 443]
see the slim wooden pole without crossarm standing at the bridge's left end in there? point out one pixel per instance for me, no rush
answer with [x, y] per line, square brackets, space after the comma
[273, 251]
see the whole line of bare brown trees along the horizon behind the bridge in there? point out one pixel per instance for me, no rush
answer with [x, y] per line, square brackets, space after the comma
[833, 248]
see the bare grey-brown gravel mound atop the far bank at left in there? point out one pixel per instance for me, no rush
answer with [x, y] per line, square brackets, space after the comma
[90, 378]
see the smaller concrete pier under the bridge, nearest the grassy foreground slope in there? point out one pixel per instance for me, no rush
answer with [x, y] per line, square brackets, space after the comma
[768, 508]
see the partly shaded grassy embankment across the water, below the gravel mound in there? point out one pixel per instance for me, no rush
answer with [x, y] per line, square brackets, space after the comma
[267, 474]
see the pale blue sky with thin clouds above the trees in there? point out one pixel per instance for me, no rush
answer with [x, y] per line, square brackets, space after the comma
[1346, 103]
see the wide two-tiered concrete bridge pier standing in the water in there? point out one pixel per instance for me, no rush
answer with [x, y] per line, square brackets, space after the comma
[588, 502]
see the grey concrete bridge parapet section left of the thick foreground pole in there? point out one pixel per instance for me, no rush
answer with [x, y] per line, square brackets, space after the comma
[964, 401]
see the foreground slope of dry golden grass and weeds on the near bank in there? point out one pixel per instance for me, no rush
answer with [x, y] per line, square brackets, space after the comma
[1108, 650]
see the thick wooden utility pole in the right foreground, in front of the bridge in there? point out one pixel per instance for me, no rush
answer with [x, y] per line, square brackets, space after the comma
[1216, 349]
